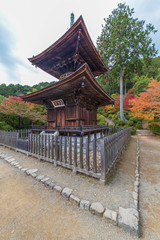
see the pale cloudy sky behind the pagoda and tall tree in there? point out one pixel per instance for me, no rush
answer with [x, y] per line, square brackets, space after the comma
[33, 25]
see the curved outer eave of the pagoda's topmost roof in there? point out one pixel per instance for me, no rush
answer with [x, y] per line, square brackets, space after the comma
[61, 41]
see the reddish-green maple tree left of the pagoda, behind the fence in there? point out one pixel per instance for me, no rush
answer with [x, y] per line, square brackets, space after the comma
[15, 105]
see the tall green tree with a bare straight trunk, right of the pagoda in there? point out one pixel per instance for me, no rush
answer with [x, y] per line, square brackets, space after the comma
[125, 40]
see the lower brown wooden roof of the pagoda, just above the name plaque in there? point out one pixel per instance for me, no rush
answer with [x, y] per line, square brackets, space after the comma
[71, 84]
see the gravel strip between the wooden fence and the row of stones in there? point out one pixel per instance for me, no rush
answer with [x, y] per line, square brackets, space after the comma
[120, 184]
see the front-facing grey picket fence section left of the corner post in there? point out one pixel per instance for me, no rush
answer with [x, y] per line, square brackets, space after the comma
[76, 153]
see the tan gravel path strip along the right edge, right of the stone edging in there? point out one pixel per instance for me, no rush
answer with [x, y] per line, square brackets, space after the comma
[150, 186]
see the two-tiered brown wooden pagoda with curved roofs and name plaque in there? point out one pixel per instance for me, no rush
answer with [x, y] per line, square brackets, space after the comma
[74, 60]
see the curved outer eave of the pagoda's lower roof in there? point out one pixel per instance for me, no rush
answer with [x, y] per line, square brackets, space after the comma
[38, 96]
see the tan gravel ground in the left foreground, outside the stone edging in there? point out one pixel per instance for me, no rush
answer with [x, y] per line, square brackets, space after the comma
[30, 211]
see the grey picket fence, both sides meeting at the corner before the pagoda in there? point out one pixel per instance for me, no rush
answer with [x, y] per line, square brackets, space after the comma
[96, 157]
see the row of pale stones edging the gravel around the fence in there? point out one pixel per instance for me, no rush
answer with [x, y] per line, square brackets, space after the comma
[127, 218]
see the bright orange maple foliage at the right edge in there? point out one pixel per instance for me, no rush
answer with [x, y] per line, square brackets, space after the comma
[147, 105]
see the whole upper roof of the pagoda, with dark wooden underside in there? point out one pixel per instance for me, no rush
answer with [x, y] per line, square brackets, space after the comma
[70, 51]
